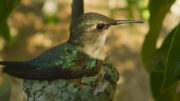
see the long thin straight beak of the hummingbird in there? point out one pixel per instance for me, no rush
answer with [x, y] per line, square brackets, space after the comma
[117, 22]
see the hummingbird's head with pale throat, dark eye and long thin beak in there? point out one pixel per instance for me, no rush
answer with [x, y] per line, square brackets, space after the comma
[89, 32]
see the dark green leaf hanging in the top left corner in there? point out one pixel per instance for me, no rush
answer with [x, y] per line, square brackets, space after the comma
[6, 7]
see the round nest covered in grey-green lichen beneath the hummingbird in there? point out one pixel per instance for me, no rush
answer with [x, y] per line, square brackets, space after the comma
[101, 87]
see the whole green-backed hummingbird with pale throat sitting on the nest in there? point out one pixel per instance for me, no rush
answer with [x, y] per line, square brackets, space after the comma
[78, 57]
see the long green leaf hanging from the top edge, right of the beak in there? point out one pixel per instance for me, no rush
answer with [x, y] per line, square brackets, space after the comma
[158, 9]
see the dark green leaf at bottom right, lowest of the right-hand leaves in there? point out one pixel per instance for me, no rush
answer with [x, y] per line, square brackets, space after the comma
[156, 80]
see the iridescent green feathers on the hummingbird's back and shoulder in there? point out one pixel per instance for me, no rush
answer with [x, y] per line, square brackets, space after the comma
[64, 54]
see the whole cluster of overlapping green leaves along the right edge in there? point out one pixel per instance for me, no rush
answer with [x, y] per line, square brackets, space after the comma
[162, 63]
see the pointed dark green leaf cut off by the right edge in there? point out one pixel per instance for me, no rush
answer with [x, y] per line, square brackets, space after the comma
[172, 73]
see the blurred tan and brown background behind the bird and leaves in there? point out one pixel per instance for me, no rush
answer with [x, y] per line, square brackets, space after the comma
[37, 25]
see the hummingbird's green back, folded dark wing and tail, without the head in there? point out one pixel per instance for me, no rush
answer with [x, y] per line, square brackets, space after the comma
[61, 62]
